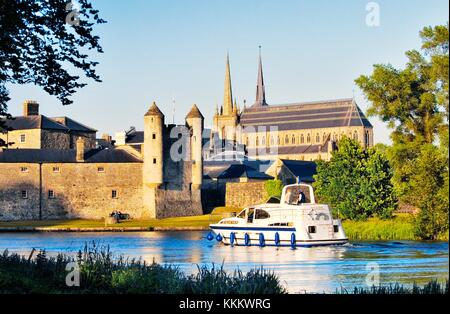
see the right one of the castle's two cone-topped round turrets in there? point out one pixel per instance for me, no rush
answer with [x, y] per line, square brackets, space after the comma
[194, 121]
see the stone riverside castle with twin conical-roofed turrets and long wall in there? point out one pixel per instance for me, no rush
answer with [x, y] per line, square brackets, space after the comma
[50, 181]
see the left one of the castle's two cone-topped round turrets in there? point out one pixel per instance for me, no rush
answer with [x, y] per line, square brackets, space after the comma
[153, 158]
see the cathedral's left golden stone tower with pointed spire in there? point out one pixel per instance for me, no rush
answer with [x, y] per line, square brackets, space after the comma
[227, 118]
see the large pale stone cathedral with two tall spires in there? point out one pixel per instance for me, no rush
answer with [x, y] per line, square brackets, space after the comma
[298, 131]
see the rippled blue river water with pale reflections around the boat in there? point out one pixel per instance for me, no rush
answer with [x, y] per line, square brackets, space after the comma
[316, 269]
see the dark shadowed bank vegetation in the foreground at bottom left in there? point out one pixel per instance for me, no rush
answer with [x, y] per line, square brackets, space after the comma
[100, 272]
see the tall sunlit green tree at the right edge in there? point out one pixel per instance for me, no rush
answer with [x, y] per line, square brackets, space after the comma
[414, 101]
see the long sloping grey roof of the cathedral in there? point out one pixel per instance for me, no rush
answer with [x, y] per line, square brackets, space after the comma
[322, 114]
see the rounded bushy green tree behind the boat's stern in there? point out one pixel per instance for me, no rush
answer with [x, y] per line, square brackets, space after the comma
[356, 182]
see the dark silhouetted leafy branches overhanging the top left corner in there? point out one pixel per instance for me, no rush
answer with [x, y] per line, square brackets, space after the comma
[39, 40]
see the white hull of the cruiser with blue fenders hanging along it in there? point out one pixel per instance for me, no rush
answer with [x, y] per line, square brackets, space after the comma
[287, 236]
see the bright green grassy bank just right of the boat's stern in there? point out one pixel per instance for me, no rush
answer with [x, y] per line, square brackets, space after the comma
[400, 227]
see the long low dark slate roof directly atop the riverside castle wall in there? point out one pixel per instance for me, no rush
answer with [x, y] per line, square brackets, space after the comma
[65, 156]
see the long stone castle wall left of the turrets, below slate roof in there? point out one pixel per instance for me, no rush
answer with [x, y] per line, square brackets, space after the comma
[80, 191]
